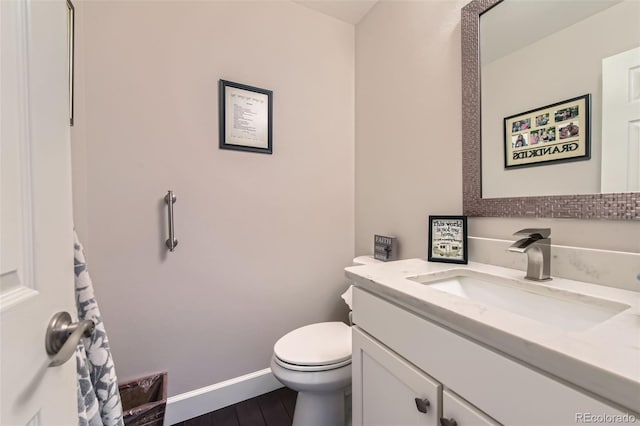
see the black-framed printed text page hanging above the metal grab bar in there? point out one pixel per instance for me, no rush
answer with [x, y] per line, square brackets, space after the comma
[248, 126]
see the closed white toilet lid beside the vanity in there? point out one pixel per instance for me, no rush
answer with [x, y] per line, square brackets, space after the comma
[316, 344]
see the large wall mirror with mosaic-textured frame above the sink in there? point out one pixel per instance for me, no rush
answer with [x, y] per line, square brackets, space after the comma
[521, 191]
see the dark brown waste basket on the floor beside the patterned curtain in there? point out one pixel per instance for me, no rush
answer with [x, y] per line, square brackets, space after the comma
[144, 400]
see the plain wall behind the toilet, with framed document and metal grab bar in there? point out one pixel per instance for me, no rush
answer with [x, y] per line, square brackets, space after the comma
[263, 239]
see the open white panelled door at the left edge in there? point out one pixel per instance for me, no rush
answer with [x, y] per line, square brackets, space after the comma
[36, 227]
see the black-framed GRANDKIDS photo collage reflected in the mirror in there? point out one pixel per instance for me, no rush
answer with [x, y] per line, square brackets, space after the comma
[555, 133]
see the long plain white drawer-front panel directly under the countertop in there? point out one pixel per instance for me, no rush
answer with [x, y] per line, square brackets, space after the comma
[500, 386]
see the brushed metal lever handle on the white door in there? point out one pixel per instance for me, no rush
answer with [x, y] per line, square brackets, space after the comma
[63, 336]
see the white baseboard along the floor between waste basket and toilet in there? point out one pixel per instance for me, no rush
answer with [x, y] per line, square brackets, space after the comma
[210, 398]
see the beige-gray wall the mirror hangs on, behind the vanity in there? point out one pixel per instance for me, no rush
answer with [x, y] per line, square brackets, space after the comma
[408, 144]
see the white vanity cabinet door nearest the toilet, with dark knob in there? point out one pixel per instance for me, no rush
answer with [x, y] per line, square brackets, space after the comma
[387, 390]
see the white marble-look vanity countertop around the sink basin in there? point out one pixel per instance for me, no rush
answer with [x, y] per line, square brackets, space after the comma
[603, 359]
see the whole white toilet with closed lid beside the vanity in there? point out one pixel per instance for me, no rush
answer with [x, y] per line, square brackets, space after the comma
[315, 361]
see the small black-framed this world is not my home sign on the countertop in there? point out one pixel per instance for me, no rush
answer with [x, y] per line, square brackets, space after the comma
[448, 239]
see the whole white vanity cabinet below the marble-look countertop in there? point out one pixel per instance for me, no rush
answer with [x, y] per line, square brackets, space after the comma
[399, 356]
